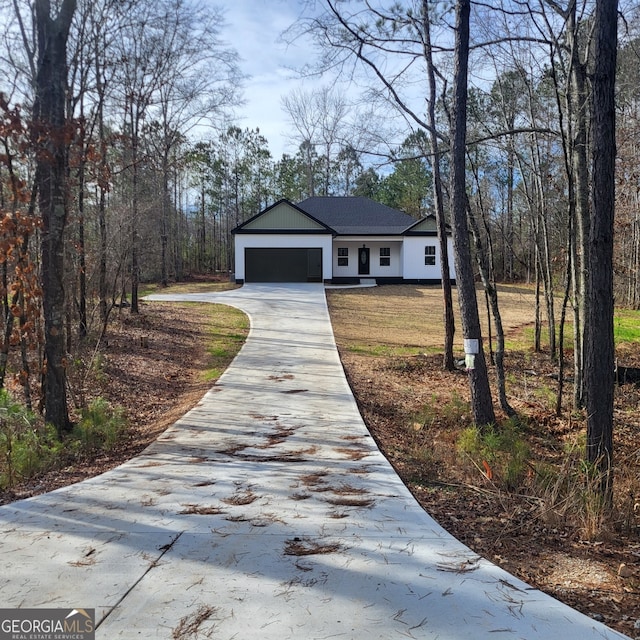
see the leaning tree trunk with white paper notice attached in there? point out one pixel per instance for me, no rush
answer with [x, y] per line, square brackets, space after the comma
[481, 401]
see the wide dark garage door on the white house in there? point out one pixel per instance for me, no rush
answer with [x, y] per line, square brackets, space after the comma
[283, 265]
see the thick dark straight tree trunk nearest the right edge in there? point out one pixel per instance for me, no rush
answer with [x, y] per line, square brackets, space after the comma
[599, 344]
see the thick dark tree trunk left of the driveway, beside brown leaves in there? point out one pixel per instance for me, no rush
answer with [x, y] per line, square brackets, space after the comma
[49, 136]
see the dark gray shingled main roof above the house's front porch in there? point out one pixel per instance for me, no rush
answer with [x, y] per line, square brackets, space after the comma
[356, 215]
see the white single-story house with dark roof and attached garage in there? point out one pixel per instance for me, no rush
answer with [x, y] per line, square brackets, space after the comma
[338, 240]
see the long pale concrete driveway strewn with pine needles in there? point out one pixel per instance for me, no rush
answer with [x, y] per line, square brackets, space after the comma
[266, 512]
